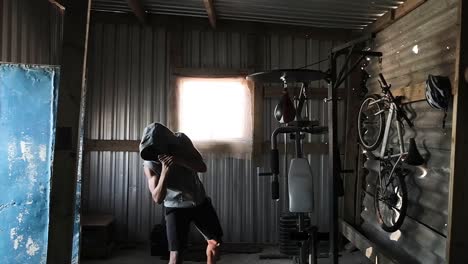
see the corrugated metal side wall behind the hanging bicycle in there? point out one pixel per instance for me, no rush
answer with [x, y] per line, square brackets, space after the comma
[432, 27]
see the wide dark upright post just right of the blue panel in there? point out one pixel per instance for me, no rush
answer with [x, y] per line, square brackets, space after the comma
[71, 108]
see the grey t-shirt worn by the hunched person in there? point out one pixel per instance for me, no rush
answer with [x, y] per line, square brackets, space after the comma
[184, 188]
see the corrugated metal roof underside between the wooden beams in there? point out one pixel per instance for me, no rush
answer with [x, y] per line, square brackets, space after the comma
[346, 14]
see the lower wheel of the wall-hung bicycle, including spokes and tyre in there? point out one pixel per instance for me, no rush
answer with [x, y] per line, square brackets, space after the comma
[390, 199]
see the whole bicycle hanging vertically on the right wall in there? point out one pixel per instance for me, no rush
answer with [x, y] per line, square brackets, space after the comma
[390, 197]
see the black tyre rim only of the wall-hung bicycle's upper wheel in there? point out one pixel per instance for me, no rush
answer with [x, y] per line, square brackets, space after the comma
[373, 145]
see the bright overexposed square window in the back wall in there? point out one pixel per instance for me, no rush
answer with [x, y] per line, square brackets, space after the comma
[215, 109]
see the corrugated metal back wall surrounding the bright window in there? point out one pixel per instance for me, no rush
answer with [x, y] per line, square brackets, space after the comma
[129, 87]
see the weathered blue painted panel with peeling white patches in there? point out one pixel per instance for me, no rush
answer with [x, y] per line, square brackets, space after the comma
[28, 96]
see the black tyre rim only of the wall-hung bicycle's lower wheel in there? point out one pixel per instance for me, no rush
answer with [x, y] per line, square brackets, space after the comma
[402, 211]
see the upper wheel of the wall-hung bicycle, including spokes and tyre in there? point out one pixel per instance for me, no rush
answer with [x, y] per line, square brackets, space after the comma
[371, 123]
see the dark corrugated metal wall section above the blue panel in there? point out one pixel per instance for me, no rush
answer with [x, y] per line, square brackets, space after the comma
[31, 32]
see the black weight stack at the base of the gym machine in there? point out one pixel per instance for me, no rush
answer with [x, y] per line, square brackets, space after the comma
[289, 222]
